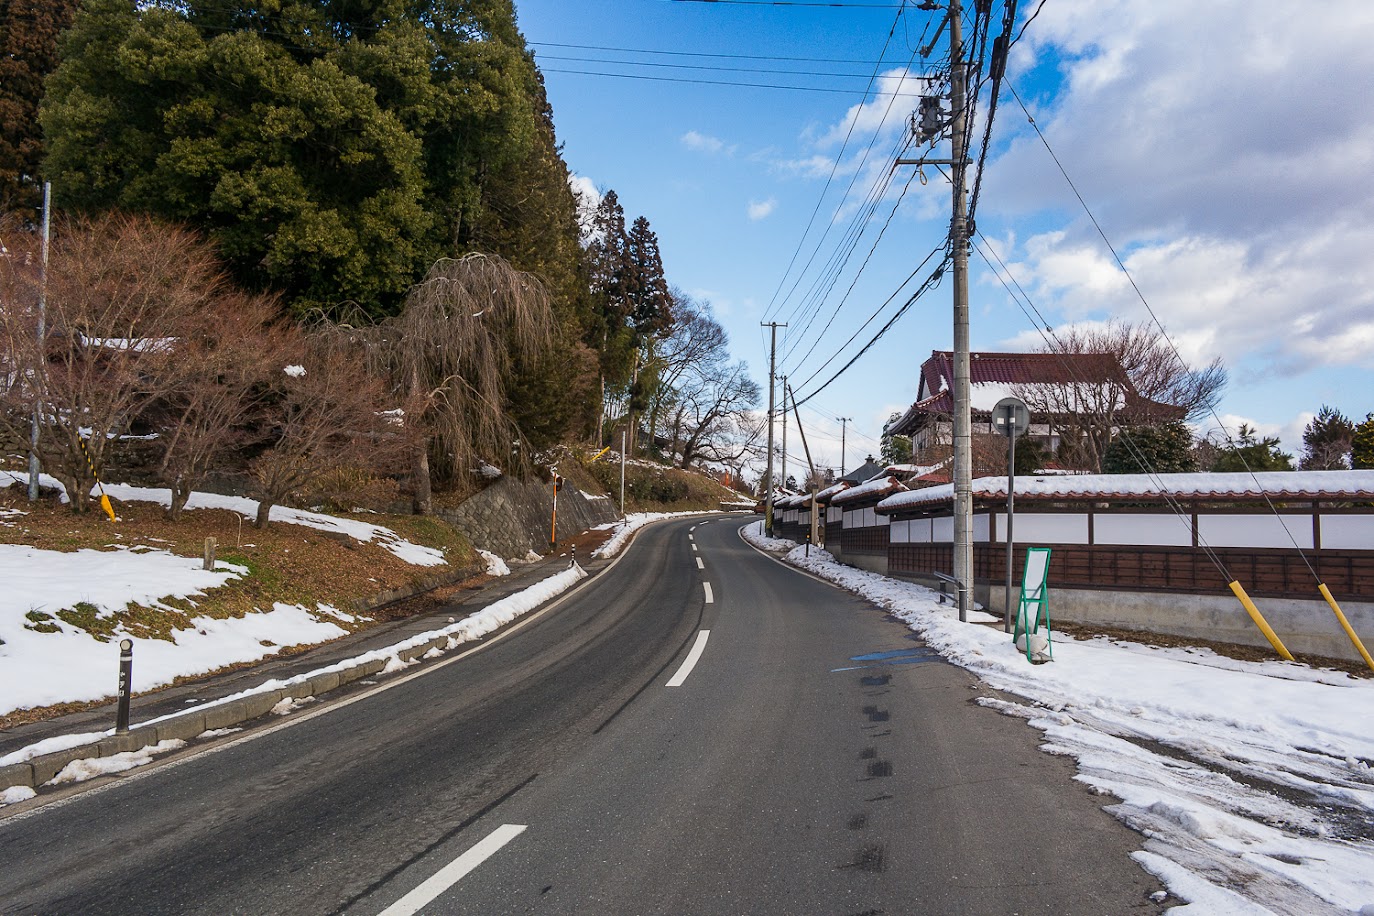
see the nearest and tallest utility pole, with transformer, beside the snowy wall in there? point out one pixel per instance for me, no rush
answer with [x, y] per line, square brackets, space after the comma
[930, 128]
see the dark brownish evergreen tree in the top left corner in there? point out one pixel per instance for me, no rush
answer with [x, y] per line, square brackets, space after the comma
[28, 54]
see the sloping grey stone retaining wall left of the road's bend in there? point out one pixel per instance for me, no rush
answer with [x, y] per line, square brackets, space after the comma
[512, 517]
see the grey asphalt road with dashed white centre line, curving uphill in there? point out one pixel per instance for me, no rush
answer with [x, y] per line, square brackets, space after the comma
[608, 759]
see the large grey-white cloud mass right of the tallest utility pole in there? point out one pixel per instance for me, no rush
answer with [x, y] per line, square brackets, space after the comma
[1236, 182]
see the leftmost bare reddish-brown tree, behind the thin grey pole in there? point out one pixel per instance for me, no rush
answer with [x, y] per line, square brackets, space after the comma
[122, 293]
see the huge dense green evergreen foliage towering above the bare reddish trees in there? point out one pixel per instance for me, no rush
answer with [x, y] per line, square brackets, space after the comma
[333, 150]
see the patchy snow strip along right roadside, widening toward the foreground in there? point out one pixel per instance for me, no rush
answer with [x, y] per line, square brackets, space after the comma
[1251, 782]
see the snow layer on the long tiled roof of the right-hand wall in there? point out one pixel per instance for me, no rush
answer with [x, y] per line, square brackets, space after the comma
[1189, 487]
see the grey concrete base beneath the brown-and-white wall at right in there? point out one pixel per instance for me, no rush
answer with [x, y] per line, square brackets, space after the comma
[1307, 628]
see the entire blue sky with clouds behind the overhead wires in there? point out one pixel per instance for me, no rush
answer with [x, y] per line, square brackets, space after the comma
[1221, 146]
